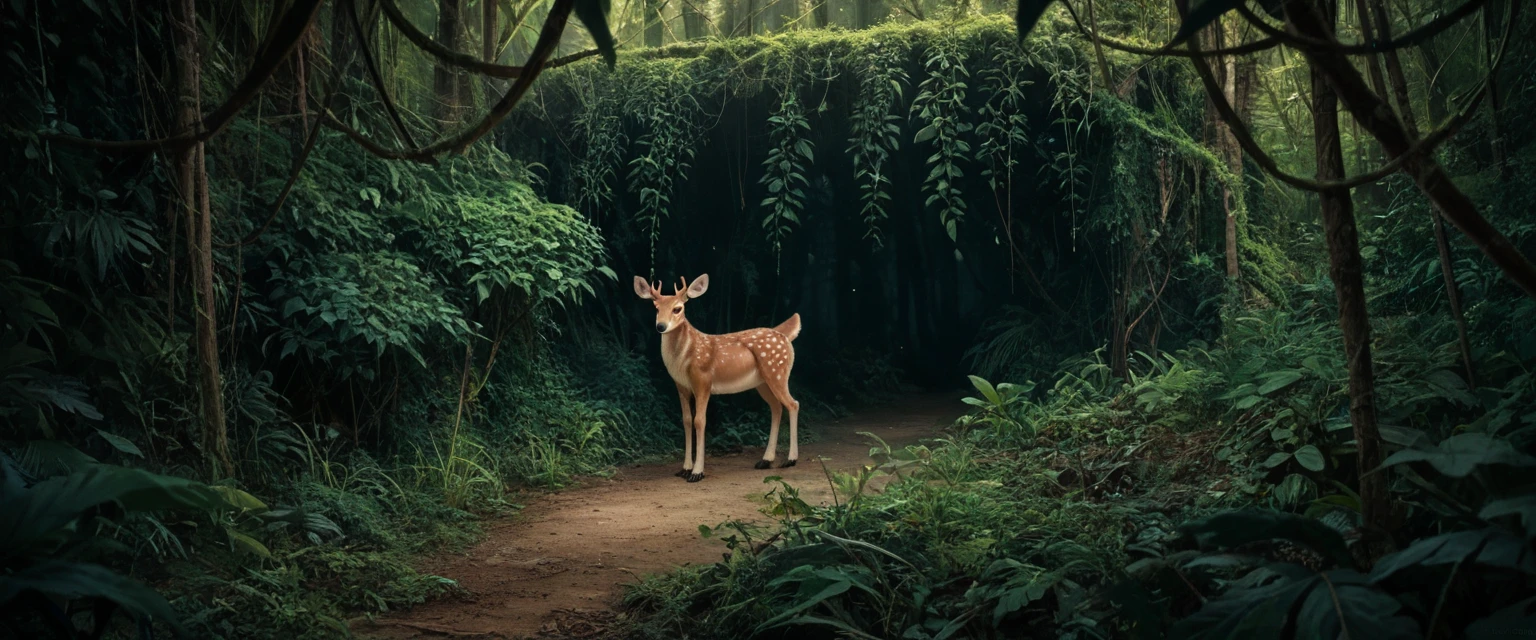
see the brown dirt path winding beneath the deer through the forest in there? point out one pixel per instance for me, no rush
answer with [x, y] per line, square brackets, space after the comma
[566, 558]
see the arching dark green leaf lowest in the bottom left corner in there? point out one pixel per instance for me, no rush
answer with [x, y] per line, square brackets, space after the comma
[81, 581]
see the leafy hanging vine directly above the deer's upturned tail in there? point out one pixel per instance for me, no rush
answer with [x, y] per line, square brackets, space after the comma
[784, 170]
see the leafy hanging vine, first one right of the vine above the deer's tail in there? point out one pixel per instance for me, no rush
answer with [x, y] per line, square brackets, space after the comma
[875, 133]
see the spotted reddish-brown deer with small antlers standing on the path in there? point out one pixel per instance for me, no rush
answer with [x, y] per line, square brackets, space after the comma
[704, 365]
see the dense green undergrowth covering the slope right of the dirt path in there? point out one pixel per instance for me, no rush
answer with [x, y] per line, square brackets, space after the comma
[1076, 507]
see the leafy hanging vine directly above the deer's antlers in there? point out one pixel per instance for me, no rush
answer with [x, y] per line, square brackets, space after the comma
[663, 101]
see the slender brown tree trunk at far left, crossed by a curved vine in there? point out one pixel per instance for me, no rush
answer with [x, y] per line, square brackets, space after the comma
[191, 173]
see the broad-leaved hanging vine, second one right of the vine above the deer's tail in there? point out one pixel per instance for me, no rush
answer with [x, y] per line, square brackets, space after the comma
[942, 110]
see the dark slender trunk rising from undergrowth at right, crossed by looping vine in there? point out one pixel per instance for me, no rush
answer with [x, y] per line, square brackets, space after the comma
[1349, 289]
